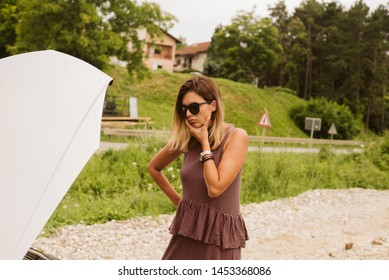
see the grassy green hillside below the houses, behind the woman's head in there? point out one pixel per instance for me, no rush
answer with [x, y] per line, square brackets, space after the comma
[244, 103]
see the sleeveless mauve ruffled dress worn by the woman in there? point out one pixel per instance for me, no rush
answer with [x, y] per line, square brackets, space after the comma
[206, 228]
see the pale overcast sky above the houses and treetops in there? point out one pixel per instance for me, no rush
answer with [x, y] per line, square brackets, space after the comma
[197, 19]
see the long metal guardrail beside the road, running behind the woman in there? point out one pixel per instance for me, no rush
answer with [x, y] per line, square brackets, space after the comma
[264, 139]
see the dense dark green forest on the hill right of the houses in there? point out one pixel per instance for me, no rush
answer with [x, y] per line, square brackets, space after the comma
[320, 50]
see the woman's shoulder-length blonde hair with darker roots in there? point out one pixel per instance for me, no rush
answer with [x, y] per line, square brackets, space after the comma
[180, 139]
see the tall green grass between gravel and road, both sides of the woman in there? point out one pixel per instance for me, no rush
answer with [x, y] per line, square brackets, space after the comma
[115, 185]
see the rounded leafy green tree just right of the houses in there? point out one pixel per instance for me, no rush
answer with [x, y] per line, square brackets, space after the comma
[245, 51]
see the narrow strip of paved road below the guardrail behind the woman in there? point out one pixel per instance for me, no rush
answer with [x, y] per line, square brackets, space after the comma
[116, 146]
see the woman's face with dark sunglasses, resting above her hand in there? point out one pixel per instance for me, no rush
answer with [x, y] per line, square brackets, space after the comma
[194, 102]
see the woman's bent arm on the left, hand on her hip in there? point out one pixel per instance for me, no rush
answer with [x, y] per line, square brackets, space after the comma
[162, 159]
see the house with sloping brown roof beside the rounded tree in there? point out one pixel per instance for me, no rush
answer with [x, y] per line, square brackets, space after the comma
[191, 57]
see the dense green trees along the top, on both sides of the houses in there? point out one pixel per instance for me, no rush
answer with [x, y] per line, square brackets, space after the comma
[320, 50]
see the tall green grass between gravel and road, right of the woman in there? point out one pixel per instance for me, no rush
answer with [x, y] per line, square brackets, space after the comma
[276, 175]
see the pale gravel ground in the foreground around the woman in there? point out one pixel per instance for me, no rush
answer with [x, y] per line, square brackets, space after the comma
[316, 225]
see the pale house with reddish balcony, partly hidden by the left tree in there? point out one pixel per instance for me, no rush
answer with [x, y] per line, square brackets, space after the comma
[160, 52]
